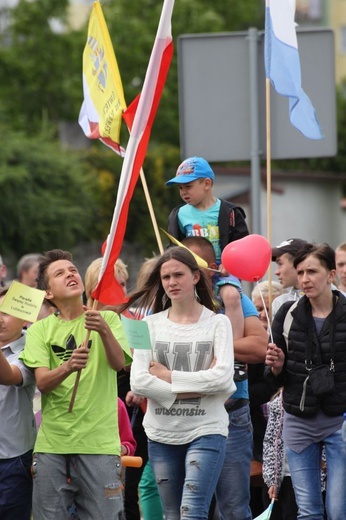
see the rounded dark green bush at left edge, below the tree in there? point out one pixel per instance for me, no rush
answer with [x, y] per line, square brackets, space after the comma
[46, 195]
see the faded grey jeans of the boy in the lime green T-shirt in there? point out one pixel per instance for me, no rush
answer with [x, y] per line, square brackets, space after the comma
[90, 483]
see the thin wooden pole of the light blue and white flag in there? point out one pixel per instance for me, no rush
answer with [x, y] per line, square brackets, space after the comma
[269, 190]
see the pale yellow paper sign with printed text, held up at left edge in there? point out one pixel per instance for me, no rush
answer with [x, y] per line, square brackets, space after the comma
[22, 301]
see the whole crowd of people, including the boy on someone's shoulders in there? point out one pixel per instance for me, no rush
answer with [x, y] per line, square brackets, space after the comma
[227, 379]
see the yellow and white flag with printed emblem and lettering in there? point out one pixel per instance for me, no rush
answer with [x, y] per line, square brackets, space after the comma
[104, 102]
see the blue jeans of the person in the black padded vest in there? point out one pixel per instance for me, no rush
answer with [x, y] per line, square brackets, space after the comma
[305, 469]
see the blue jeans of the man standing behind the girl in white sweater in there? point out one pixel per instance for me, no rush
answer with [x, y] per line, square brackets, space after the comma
[233, 488]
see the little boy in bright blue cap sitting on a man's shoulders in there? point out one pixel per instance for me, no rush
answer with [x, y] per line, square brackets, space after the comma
[220, 221]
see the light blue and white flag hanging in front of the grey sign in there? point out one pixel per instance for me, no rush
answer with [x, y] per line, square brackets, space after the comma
[282, 65]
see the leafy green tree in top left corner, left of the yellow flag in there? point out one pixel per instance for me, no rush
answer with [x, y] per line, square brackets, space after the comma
[42, 68]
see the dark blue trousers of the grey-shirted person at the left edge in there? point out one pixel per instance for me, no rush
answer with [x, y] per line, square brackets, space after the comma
[16, 487]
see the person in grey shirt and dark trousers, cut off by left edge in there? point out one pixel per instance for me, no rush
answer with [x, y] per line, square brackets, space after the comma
[17, 423]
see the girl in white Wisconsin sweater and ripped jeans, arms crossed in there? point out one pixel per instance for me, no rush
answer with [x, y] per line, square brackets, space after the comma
[186, 377]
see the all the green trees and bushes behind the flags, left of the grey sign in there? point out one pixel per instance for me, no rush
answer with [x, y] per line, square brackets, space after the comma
[53, 197]
